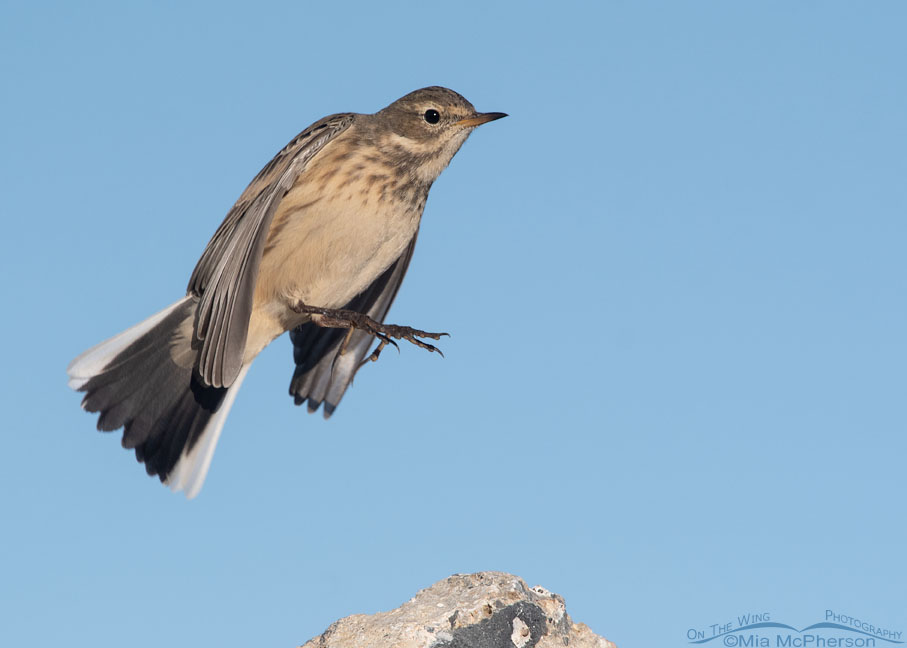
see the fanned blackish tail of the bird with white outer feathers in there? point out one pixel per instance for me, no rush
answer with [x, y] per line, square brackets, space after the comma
[143, 381]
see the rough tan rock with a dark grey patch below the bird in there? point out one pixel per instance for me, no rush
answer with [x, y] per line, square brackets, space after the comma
[484, 610]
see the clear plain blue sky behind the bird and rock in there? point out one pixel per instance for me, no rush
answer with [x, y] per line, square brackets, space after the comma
[674, 277]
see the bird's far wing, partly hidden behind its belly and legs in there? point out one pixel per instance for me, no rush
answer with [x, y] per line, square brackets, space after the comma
[322, 372]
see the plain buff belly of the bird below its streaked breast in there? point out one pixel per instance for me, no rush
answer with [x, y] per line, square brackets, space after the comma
[324, 254]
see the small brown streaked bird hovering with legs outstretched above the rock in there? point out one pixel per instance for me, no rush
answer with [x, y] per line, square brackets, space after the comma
[316, 245]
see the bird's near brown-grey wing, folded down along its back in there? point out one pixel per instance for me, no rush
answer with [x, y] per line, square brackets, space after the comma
[224, 278]
